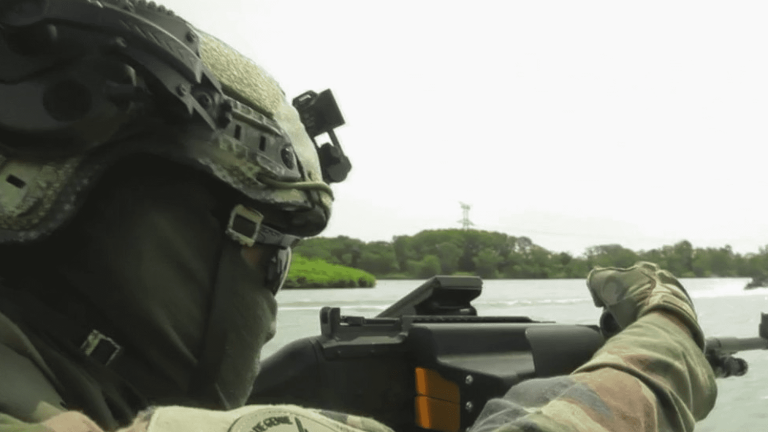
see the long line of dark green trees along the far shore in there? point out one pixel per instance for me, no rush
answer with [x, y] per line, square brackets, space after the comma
[494, 255]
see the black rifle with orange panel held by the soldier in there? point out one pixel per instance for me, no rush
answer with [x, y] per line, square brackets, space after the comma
[428, 362]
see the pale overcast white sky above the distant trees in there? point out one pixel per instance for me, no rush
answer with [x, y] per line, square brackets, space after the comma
[572, 123]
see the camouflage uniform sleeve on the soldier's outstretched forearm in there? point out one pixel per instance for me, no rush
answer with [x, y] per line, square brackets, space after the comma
[650, 377]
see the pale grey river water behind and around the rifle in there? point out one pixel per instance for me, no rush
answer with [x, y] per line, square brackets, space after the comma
[724, 309]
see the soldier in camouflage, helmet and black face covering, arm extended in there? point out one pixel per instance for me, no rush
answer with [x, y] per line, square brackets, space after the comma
[152, 183]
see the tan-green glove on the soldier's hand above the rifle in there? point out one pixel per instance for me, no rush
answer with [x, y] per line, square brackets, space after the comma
[630, 293]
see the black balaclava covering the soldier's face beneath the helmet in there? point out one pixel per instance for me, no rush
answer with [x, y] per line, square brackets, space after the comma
[148, 258]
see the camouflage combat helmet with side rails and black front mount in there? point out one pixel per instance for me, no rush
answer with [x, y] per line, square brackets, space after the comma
[86, 83]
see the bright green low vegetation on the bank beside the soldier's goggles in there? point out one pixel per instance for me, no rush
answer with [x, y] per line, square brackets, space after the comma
[316, 273]
